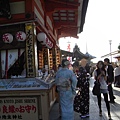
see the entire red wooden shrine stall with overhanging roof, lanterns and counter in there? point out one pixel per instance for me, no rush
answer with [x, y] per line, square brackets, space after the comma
[30, 53]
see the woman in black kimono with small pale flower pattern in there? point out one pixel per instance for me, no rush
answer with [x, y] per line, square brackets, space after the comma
[81, 101]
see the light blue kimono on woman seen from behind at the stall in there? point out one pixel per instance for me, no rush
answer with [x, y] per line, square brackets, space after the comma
[66, 94]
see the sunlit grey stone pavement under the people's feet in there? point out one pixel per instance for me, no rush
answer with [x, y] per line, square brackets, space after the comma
[94, 111]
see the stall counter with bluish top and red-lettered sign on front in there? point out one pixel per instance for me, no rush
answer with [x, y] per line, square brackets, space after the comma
[26, 99]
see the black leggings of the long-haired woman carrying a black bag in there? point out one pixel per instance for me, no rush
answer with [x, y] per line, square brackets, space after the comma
[106, 101]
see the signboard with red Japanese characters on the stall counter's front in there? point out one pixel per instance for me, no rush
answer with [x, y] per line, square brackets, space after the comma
[18, 108]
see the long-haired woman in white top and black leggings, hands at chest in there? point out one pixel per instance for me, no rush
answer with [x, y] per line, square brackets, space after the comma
[100, 74]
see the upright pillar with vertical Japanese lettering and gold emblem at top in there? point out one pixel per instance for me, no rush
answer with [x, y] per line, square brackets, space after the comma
[31, 50]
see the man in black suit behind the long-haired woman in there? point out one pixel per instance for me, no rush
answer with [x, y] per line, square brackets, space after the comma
[110, 79]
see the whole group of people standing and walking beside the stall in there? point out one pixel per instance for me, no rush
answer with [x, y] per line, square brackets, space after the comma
[72, 86]
